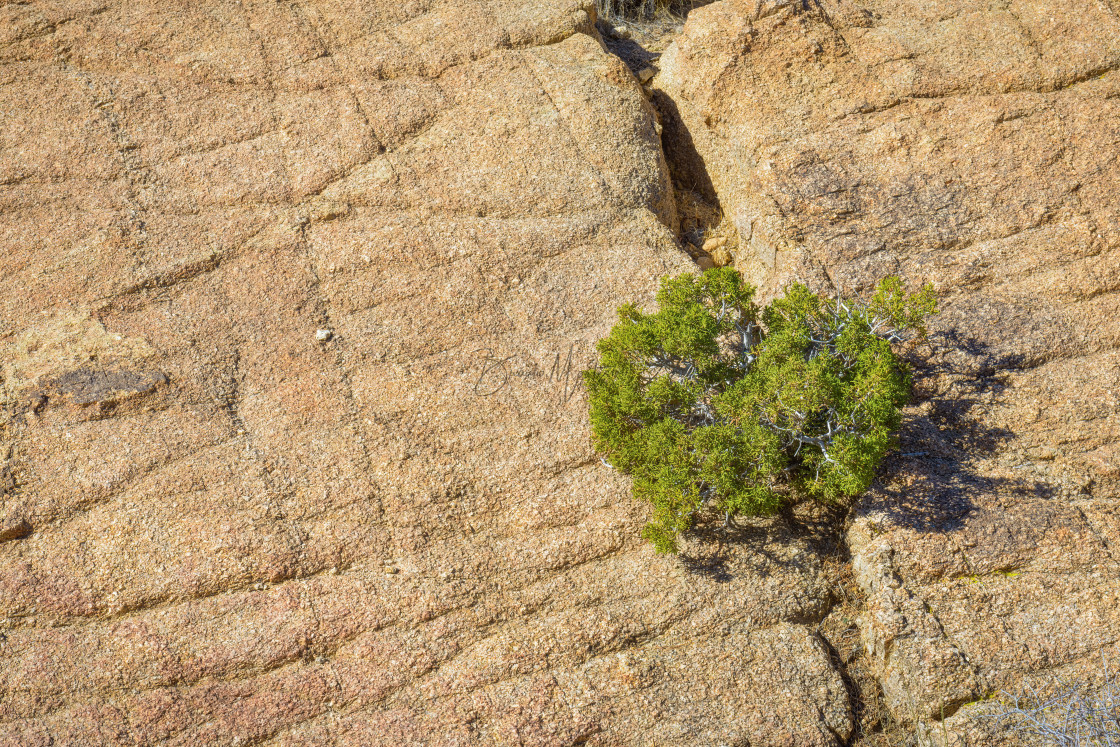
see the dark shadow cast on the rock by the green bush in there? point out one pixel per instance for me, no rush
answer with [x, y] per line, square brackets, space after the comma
[927, 485]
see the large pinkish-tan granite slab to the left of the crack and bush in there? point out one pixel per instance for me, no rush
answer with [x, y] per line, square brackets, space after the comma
[221, 526]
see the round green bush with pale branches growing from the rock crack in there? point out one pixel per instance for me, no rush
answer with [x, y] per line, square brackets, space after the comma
[713, 405]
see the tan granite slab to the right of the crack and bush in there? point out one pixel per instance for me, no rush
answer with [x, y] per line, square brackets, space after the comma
[974, 146]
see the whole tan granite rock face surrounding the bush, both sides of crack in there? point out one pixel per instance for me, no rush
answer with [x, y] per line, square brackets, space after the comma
[218, 529]
